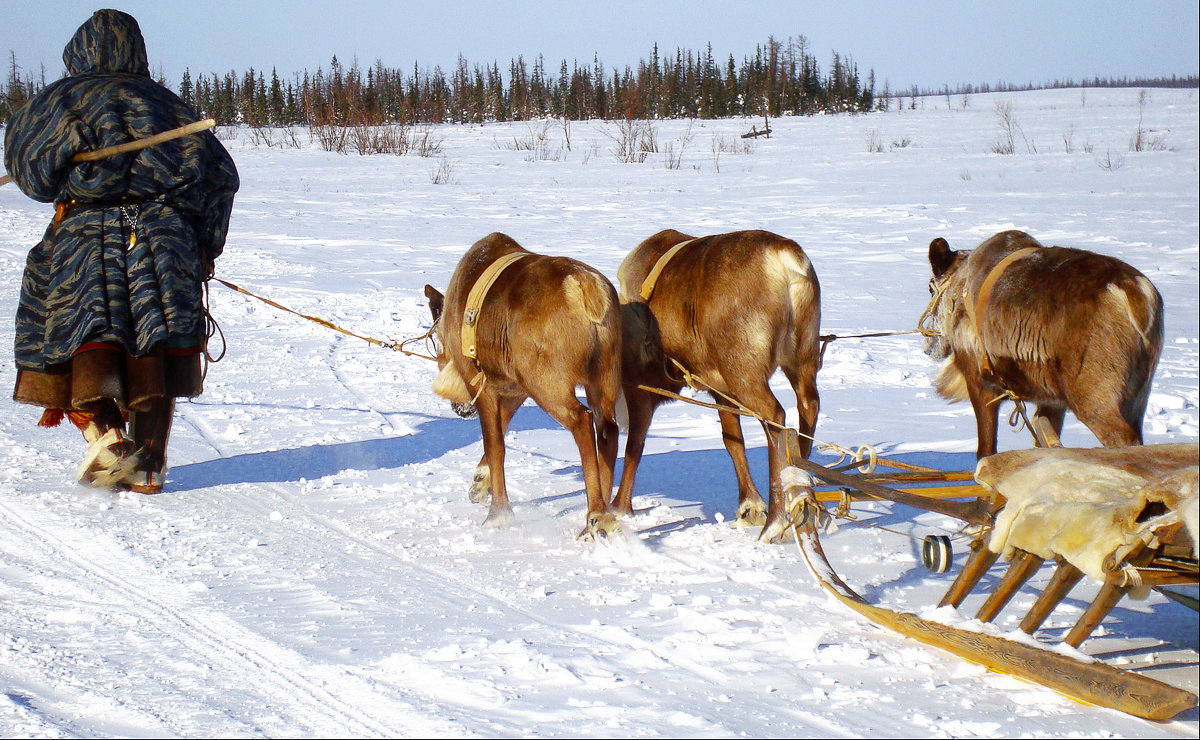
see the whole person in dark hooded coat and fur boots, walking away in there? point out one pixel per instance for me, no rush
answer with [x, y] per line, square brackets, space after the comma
[111, 327]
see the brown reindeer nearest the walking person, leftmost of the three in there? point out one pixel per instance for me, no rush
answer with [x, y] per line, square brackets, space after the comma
[544, 327]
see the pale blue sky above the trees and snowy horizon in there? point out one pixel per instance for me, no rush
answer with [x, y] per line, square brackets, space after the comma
[925, 44]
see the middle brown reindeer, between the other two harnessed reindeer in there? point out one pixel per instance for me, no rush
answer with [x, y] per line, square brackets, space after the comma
[730, 309]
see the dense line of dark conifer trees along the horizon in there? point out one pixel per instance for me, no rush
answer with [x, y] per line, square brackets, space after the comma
[781, 79]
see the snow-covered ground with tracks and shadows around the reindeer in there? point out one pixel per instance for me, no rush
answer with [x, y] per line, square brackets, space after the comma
[315, 568]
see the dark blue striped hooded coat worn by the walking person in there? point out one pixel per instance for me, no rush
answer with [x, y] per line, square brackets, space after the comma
[131, 276]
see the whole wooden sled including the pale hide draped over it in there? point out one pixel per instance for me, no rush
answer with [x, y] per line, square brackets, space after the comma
[1125, 518]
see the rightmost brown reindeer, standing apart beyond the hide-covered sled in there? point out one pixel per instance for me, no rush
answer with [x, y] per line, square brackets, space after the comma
[1061, 328]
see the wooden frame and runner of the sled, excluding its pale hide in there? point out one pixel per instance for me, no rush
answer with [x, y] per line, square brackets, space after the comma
[1163, 555]
